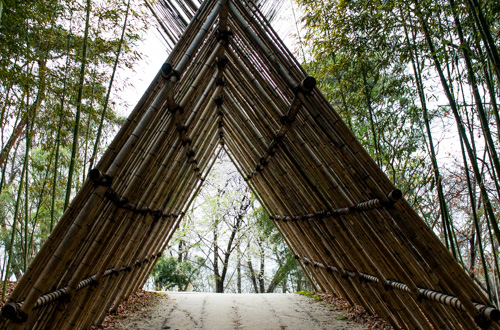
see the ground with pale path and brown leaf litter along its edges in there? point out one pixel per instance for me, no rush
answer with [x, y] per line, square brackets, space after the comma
[176, 310]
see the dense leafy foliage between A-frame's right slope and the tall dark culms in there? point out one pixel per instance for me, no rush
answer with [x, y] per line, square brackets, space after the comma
[355, 56]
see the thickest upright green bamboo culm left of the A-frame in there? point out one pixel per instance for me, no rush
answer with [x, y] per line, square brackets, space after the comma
[78, 109]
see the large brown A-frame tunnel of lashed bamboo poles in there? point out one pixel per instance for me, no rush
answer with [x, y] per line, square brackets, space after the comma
[231, 83]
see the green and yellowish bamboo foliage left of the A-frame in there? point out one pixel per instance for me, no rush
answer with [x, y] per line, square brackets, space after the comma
[40, 57]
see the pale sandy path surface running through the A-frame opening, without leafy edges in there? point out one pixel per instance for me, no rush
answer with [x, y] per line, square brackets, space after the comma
[239, 311]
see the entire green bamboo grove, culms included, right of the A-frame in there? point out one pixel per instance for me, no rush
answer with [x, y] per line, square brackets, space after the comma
[401, 72]
